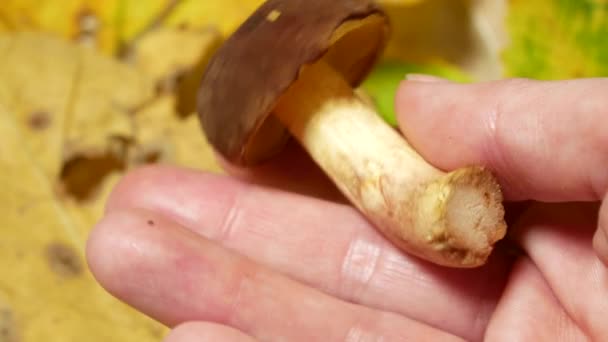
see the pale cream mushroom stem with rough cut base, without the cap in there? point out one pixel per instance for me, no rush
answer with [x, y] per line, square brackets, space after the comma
[452, 219]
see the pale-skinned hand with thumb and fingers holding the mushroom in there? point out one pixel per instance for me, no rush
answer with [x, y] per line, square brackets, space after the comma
[218, 258]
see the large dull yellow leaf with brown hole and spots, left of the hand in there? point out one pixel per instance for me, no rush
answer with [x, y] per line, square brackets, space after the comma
[73, 122]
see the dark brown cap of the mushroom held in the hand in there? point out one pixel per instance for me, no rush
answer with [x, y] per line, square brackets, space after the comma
[258, 63]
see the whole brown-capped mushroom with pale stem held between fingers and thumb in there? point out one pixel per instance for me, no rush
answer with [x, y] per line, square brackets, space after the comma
[291, 70]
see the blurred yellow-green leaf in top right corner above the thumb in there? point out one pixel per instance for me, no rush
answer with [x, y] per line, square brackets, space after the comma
[557, 39]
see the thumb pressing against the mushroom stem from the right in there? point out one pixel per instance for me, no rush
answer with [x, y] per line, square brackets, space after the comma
[545, 141]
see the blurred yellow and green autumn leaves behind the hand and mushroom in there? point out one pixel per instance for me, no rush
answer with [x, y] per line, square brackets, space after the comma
[90, 89]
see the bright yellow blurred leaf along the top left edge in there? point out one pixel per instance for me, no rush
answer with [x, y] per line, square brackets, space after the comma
[112, 25]
